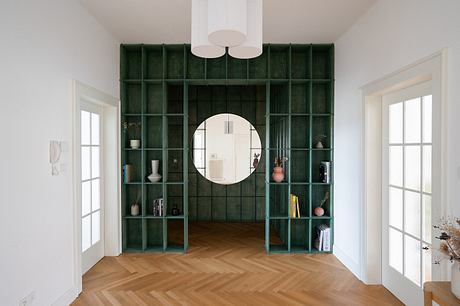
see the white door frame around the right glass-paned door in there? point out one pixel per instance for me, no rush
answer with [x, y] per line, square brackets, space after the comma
[431, 69]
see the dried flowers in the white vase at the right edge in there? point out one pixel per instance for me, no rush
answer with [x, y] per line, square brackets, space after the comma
[450, 239]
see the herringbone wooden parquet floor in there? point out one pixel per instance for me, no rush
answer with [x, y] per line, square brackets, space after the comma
[227, 265]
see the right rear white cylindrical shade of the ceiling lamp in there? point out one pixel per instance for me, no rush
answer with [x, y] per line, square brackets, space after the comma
[252, 47]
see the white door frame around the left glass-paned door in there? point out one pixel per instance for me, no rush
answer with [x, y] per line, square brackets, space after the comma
[111, 185]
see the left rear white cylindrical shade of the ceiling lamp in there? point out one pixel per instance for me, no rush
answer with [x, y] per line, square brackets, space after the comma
[200, 44]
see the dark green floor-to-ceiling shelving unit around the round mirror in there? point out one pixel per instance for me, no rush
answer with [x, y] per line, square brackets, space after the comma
[155, 83]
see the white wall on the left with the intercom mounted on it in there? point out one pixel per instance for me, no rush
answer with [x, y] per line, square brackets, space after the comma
[44, 44]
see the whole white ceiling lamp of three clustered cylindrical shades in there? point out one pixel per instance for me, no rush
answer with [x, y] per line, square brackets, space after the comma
[236, 24]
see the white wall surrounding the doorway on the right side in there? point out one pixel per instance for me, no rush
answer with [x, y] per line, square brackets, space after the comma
[391, 35]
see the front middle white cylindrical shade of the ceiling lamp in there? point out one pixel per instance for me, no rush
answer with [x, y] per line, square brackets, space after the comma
[227, 22]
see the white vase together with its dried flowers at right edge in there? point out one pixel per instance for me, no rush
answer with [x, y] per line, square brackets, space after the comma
[450, 249]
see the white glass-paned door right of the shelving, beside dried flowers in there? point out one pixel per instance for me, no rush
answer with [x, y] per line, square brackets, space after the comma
[407, 192]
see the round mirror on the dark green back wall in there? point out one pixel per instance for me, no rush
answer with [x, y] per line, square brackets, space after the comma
[226, 149]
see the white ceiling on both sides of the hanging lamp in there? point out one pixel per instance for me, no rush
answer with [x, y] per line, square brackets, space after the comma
[168, 21]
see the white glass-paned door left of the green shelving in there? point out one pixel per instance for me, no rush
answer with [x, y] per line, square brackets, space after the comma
[92, 208]
